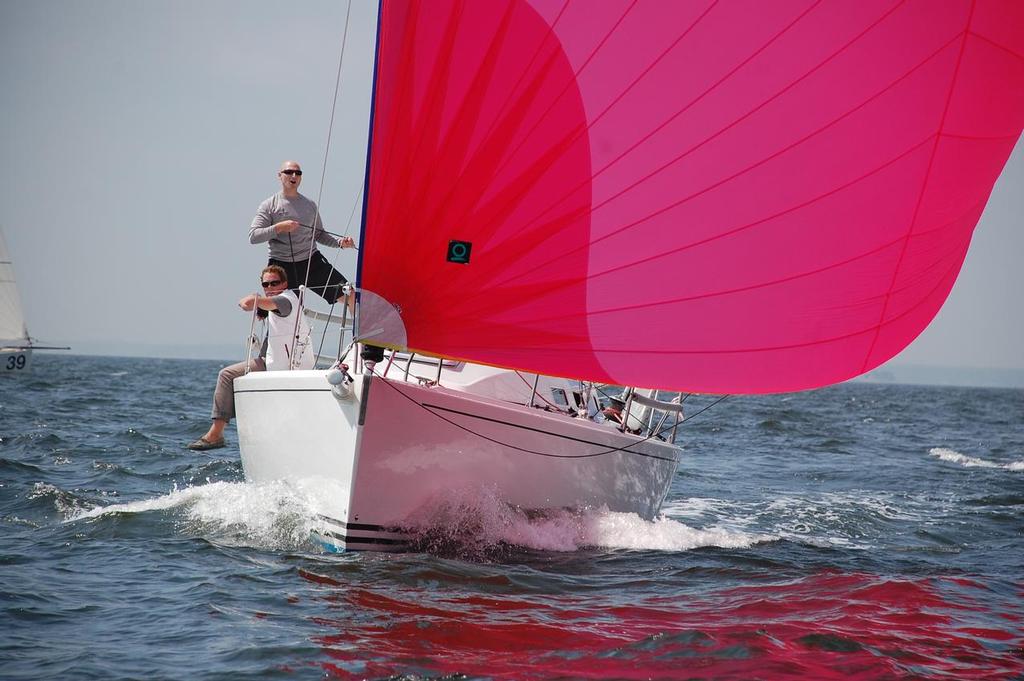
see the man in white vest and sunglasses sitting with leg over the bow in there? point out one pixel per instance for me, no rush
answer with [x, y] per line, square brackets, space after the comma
[286, 347]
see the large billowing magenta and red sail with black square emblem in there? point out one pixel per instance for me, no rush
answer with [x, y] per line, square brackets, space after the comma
[719, 197]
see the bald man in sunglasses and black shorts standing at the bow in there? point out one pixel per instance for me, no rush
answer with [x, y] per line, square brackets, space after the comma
[290, 223]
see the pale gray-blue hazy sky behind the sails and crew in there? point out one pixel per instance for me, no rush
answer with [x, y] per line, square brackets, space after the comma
[140, 138]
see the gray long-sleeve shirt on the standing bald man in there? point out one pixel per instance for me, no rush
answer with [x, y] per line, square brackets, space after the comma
[292, 247]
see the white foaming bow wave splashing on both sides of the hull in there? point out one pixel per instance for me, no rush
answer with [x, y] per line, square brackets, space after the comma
[283, 517]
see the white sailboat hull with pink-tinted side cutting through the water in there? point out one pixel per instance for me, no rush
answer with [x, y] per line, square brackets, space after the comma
[393, 451]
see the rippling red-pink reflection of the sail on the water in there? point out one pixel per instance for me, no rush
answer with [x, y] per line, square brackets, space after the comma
[824, 627]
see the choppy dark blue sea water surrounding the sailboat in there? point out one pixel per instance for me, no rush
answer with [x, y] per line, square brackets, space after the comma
[860, 532]
